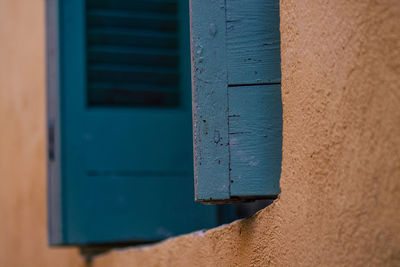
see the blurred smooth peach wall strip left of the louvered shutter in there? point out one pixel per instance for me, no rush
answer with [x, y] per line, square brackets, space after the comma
[23, 227]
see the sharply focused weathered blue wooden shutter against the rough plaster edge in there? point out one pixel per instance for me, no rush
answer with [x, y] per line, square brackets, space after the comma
[236, 99]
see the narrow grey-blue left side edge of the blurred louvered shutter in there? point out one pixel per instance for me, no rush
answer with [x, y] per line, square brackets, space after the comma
[54, 195]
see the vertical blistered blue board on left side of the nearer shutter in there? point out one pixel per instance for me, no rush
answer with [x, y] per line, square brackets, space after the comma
[210, 100]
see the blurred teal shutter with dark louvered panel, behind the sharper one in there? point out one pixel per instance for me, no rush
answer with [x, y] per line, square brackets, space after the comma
[119, 111]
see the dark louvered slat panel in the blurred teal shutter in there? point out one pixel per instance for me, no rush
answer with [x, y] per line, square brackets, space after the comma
[132, 53]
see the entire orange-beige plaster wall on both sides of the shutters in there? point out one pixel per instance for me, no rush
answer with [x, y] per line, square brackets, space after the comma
[340, 200]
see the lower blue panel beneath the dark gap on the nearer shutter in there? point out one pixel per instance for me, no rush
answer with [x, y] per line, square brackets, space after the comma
[255, 136]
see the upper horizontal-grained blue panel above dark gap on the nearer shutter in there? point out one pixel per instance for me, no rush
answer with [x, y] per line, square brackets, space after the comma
[253, 41]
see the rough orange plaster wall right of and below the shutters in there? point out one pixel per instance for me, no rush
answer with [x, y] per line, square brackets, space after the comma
[340, 201]
